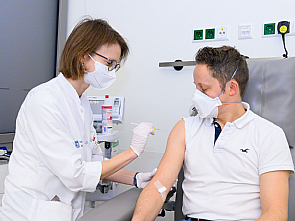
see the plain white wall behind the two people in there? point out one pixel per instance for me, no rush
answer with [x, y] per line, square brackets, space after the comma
[161, 30]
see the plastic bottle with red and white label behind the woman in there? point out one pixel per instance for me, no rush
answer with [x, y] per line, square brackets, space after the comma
[107, 115]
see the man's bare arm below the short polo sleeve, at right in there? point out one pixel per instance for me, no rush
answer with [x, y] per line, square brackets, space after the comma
[274, 191]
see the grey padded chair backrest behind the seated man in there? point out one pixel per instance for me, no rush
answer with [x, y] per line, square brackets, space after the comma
[271, 94]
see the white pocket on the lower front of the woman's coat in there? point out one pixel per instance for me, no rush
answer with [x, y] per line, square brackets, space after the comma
[53, 210]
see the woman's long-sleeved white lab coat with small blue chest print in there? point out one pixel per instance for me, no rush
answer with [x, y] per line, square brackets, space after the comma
[51, 156]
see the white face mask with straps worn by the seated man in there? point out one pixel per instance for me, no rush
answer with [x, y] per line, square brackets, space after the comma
[206, 106]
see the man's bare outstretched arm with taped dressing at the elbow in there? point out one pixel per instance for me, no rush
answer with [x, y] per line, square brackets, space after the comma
[150, 200]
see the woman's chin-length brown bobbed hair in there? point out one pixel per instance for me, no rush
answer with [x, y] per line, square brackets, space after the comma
[88, 35]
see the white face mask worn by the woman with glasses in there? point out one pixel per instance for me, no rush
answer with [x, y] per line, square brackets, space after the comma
[101, 78]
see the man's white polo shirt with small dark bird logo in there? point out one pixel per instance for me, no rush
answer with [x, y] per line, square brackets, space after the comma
[221, 181]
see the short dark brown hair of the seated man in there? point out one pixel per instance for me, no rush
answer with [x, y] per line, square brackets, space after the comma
[223, 62]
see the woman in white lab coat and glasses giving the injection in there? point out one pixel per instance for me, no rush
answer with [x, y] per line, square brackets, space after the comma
[50, 169]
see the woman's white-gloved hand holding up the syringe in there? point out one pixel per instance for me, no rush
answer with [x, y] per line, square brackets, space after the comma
[140, 137]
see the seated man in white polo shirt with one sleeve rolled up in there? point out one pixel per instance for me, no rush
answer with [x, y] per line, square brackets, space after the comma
[236, 164]
